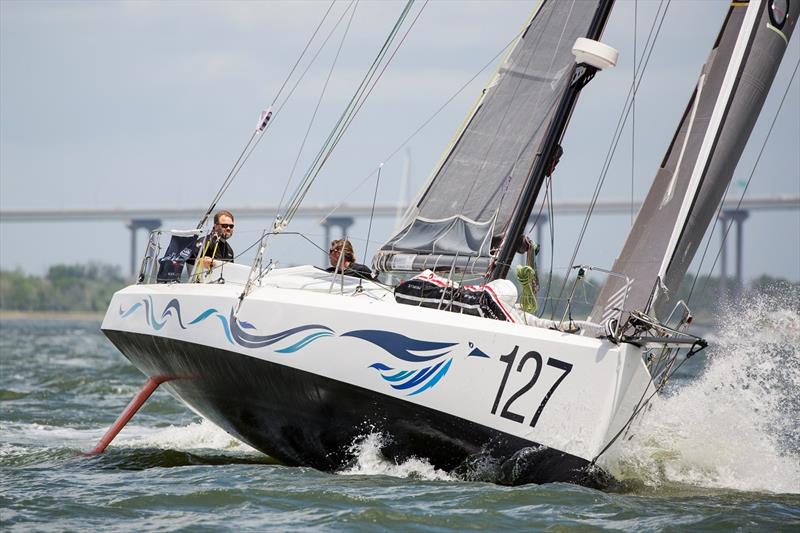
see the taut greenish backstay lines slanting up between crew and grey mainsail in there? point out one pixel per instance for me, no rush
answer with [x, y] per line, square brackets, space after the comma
[341, 124]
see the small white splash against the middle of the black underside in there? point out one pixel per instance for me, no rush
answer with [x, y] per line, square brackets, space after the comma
[370, 461]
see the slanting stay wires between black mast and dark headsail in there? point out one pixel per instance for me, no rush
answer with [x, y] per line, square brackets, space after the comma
[626, 108]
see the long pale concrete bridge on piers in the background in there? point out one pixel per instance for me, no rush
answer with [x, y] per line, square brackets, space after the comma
[343, 216]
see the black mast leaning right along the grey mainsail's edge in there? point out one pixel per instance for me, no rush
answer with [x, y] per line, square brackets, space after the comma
[581, 75]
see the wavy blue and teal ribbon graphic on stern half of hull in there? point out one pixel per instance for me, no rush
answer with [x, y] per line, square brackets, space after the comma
[233, 329]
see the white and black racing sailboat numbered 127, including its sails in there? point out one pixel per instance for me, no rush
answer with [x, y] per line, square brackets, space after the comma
[302, 363]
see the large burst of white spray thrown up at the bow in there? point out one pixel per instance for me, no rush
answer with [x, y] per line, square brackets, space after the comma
[737, 425]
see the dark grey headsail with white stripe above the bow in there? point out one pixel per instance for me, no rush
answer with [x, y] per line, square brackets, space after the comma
[701, 159]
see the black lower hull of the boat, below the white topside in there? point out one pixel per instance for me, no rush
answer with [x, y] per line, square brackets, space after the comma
[301, 418]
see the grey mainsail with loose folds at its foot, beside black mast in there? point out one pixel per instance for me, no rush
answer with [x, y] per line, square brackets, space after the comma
[471, 195]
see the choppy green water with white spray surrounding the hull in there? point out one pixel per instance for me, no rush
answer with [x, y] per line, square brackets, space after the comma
[720, 454]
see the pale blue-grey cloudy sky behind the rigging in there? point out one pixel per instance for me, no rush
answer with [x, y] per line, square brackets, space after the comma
[148, 104]
